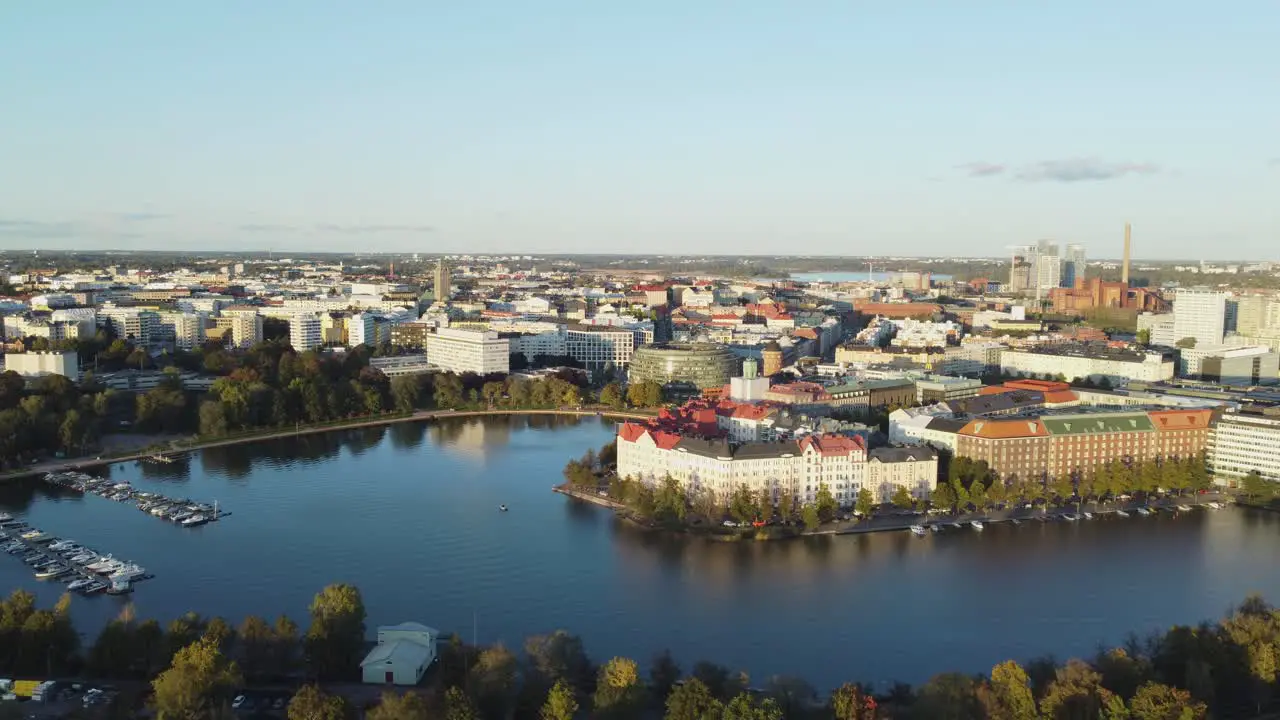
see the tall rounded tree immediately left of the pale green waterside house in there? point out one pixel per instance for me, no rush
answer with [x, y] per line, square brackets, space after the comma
[336, 639]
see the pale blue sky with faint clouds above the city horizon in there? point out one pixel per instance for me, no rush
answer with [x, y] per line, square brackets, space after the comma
[669, 127]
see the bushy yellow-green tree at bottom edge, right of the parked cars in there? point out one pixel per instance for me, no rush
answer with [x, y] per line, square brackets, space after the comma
[198, 685]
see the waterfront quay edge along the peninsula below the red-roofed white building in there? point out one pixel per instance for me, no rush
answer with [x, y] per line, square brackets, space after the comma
[892, 523]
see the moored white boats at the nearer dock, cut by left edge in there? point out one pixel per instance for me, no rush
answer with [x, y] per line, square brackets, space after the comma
[85, 571]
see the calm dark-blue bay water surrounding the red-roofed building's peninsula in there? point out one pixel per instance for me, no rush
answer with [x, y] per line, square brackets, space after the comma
[410, 514]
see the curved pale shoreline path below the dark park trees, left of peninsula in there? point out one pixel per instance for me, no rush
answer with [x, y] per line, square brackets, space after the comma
[367, 422]
